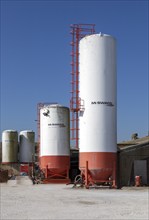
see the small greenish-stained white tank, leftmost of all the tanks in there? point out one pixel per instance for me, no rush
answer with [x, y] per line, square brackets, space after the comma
[9, 146]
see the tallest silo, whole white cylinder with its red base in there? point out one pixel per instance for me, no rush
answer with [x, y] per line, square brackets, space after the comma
[98, 130]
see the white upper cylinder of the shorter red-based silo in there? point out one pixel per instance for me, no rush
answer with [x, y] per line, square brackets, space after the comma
[54, 130]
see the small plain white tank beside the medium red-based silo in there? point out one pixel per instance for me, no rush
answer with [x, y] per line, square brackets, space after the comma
[27, 146]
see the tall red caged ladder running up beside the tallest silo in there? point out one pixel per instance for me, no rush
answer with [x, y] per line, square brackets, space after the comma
[78, 31]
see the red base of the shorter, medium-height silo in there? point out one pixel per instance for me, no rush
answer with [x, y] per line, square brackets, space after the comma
[55, 168]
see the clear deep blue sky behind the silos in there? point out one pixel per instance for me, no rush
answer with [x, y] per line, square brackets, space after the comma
[35, 58]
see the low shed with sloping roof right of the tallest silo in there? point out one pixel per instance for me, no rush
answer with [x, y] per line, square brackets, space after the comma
[133, 160]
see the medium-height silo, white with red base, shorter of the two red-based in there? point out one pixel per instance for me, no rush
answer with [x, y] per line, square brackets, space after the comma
[55, 140]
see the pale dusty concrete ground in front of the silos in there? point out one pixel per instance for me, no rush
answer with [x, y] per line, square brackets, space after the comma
[22, 200]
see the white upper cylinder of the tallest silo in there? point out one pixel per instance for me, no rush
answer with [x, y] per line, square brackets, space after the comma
[98, 93]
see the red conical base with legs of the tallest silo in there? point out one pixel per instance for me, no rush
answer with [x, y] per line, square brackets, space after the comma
[98, 167]
